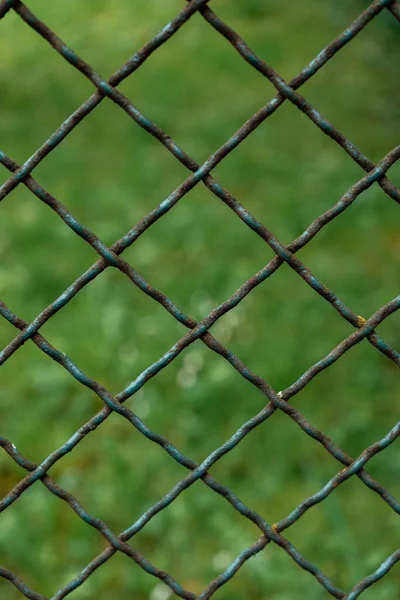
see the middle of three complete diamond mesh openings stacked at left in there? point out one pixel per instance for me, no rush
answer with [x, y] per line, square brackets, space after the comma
[112, 330]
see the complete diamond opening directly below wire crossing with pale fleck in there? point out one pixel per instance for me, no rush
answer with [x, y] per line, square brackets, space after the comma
[293, 466]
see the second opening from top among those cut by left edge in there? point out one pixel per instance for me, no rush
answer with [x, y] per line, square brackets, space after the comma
[40, 255]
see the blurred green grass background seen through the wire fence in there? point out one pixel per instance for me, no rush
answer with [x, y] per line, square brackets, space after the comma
[110, 173]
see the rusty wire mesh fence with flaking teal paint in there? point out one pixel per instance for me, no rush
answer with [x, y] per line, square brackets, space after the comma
[364, 328]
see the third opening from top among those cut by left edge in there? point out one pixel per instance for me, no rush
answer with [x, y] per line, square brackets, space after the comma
[45, 399]
